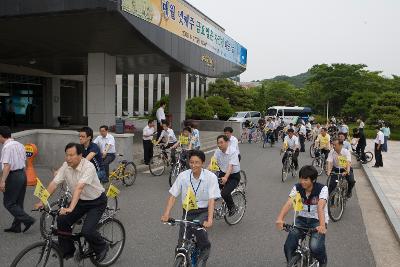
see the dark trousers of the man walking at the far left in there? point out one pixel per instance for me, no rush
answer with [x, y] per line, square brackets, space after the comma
[14, 197]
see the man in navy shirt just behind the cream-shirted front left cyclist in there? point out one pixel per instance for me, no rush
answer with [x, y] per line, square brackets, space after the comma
[92, 152]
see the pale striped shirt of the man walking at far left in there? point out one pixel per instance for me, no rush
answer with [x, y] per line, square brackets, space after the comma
[14, 154]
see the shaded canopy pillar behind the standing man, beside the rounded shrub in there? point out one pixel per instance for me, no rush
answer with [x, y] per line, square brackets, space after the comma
[177, 99]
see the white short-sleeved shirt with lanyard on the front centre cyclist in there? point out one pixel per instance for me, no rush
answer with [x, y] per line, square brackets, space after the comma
[205, 188]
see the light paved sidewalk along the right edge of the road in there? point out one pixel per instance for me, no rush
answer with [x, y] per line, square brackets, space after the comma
[386, 182]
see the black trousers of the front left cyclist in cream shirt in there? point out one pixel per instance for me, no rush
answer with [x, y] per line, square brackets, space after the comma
[93, 210]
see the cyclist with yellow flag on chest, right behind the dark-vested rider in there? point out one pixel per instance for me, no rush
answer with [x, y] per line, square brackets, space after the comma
[339, 161]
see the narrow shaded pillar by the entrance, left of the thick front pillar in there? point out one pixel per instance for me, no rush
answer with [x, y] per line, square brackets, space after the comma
[53, 106]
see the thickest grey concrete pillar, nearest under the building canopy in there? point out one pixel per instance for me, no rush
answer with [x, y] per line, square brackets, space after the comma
[101, 89]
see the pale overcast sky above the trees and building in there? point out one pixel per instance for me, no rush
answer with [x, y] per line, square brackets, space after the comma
[287, 37]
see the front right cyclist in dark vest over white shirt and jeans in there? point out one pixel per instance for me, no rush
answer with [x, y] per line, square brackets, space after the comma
[314, 215]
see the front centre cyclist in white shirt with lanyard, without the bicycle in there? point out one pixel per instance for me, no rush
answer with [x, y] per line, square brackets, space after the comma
[205, 187]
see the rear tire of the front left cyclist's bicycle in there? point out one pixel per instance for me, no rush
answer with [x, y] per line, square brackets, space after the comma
[113, 259]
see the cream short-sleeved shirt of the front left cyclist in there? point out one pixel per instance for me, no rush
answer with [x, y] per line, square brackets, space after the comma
[85, 173]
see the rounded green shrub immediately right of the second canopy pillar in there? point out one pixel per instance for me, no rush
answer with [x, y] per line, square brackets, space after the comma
[198, 108]
